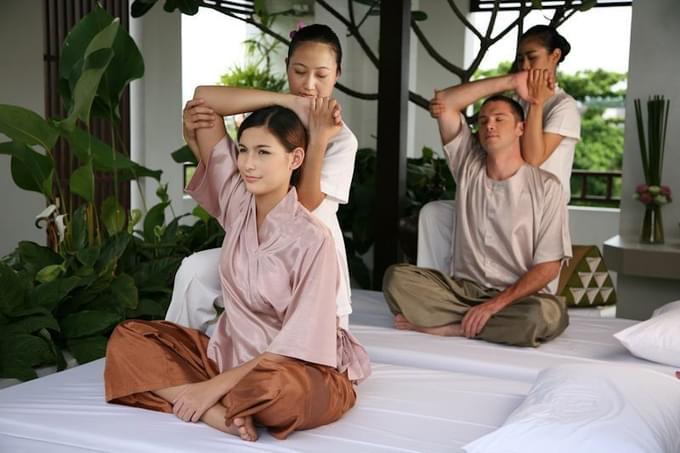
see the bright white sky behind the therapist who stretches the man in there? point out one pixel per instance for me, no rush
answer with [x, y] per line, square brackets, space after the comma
[599, 38]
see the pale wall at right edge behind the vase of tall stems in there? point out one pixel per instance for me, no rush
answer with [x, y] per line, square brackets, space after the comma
[654, 68]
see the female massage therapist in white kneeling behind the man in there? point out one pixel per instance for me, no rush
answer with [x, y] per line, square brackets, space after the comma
[552, 129]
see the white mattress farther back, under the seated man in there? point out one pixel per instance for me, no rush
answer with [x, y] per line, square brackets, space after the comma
[587, 338]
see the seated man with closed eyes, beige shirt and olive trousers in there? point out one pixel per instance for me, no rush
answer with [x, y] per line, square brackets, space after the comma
[511, 236]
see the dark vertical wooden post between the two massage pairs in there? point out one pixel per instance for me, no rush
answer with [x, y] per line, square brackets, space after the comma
[392, 126]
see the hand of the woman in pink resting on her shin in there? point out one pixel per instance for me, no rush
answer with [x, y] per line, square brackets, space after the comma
[195, 399]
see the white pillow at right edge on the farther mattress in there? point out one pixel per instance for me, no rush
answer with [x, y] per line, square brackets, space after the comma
[658, 338]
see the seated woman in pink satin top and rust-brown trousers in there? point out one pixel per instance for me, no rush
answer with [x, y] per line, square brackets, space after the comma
[276, 358]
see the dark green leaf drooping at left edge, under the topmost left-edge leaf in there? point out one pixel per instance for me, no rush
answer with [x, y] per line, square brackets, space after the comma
[30, 169]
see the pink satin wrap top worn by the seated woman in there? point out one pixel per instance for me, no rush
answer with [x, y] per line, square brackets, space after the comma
[279, 289]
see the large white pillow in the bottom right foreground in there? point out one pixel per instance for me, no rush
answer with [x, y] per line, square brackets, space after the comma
[598, 407]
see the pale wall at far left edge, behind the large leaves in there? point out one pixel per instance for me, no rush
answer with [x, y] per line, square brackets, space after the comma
[21, 83]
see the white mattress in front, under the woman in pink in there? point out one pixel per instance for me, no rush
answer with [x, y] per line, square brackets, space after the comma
[399, 409]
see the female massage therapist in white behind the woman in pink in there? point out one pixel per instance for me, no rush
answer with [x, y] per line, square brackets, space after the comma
[313, 66]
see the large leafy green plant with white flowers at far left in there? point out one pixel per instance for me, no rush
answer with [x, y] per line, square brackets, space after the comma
[102, 269]
